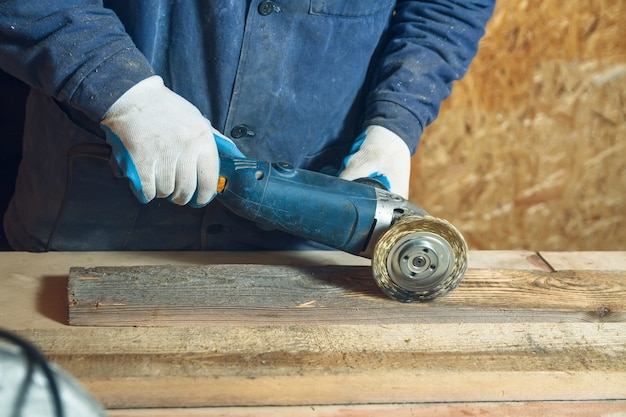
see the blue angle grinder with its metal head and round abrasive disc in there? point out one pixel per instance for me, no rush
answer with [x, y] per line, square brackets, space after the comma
[415, 256]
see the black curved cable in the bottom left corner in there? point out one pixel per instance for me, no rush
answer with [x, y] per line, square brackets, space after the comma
[34, 358]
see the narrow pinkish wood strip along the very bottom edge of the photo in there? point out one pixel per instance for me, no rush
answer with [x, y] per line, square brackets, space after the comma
[519, 409]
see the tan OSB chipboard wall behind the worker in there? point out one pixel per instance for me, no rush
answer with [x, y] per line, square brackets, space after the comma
[529, 152]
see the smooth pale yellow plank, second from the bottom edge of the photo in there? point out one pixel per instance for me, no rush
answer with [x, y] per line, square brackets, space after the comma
[327, 390]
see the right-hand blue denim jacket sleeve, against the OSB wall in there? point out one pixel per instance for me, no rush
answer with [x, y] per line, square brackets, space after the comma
[430, 45]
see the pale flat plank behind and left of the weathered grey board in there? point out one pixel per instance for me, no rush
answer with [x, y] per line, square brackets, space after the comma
[26, 277]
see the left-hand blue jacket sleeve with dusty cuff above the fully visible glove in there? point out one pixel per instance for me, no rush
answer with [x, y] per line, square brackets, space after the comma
[76, 51]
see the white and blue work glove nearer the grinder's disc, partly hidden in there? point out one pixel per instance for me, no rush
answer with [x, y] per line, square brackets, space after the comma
[380, 154]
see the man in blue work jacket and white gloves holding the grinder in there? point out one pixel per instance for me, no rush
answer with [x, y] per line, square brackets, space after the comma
[342, 87]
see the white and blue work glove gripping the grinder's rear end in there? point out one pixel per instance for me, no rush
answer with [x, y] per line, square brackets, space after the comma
[164, 146]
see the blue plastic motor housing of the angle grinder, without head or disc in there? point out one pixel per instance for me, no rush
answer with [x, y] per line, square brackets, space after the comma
[337, 213]
